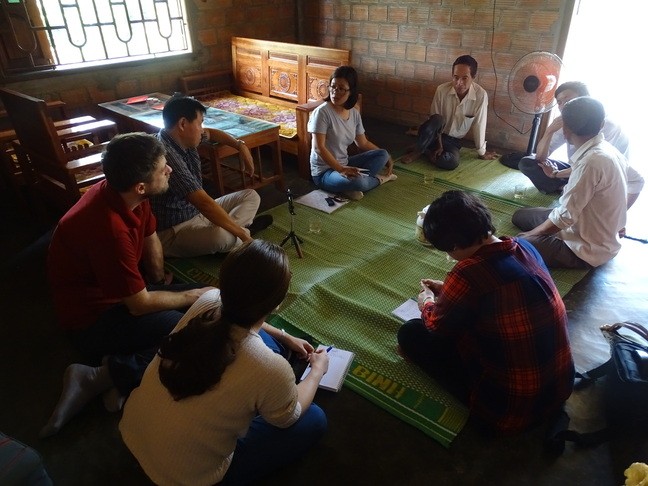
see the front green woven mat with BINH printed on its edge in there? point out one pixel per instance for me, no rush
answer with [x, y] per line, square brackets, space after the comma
[363, 264]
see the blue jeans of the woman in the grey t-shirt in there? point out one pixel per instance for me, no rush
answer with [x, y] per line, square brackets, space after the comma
[333, 181]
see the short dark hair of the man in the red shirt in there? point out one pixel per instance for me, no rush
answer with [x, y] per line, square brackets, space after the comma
[131, 158]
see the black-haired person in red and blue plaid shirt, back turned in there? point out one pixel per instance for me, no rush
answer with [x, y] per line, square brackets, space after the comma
[495, 332]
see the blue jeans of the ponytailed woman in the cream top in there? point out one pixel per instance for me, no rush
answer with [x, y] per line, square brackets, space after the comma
[266, 448]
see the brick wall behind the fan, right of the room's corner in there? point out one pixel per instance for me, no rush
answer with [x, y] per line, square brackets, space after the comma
[404, 49]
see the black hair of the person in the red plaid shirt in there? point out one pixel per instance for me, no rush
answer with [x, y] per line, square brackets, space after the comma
[457, 220]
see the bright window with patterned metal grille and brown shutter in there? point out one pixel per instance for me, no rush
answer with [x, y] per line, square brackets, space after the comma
[63, 34]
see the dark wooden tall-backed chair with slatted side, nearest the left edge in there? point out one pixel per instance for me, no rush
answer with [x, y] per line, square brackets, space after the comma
[46, 150]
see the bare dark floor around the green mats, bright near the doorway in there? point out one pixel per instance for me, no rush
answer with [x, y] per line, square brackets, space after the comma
[364, 445]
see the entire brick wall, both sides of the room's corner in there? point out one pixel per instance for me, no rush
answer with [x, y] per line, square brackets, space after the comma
[402, 50]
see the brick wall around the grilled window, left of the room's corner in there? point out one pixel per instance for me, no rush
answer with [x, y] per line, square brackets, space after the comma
[212, 22]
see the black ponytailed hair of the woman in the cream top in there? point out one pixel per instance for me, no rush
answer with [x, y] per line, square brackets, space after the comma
[253, 281]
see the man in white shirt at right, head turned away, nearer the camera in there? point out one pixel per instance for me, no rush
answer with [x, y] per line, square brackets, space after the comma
[583, 231]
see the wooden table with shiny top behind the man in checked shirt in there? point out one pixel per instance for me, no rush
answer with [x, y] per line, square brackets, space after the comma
[228, 173]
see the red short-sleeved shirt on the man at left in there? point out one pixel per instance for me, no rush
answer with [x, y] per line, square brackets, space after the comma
[94, 255]
